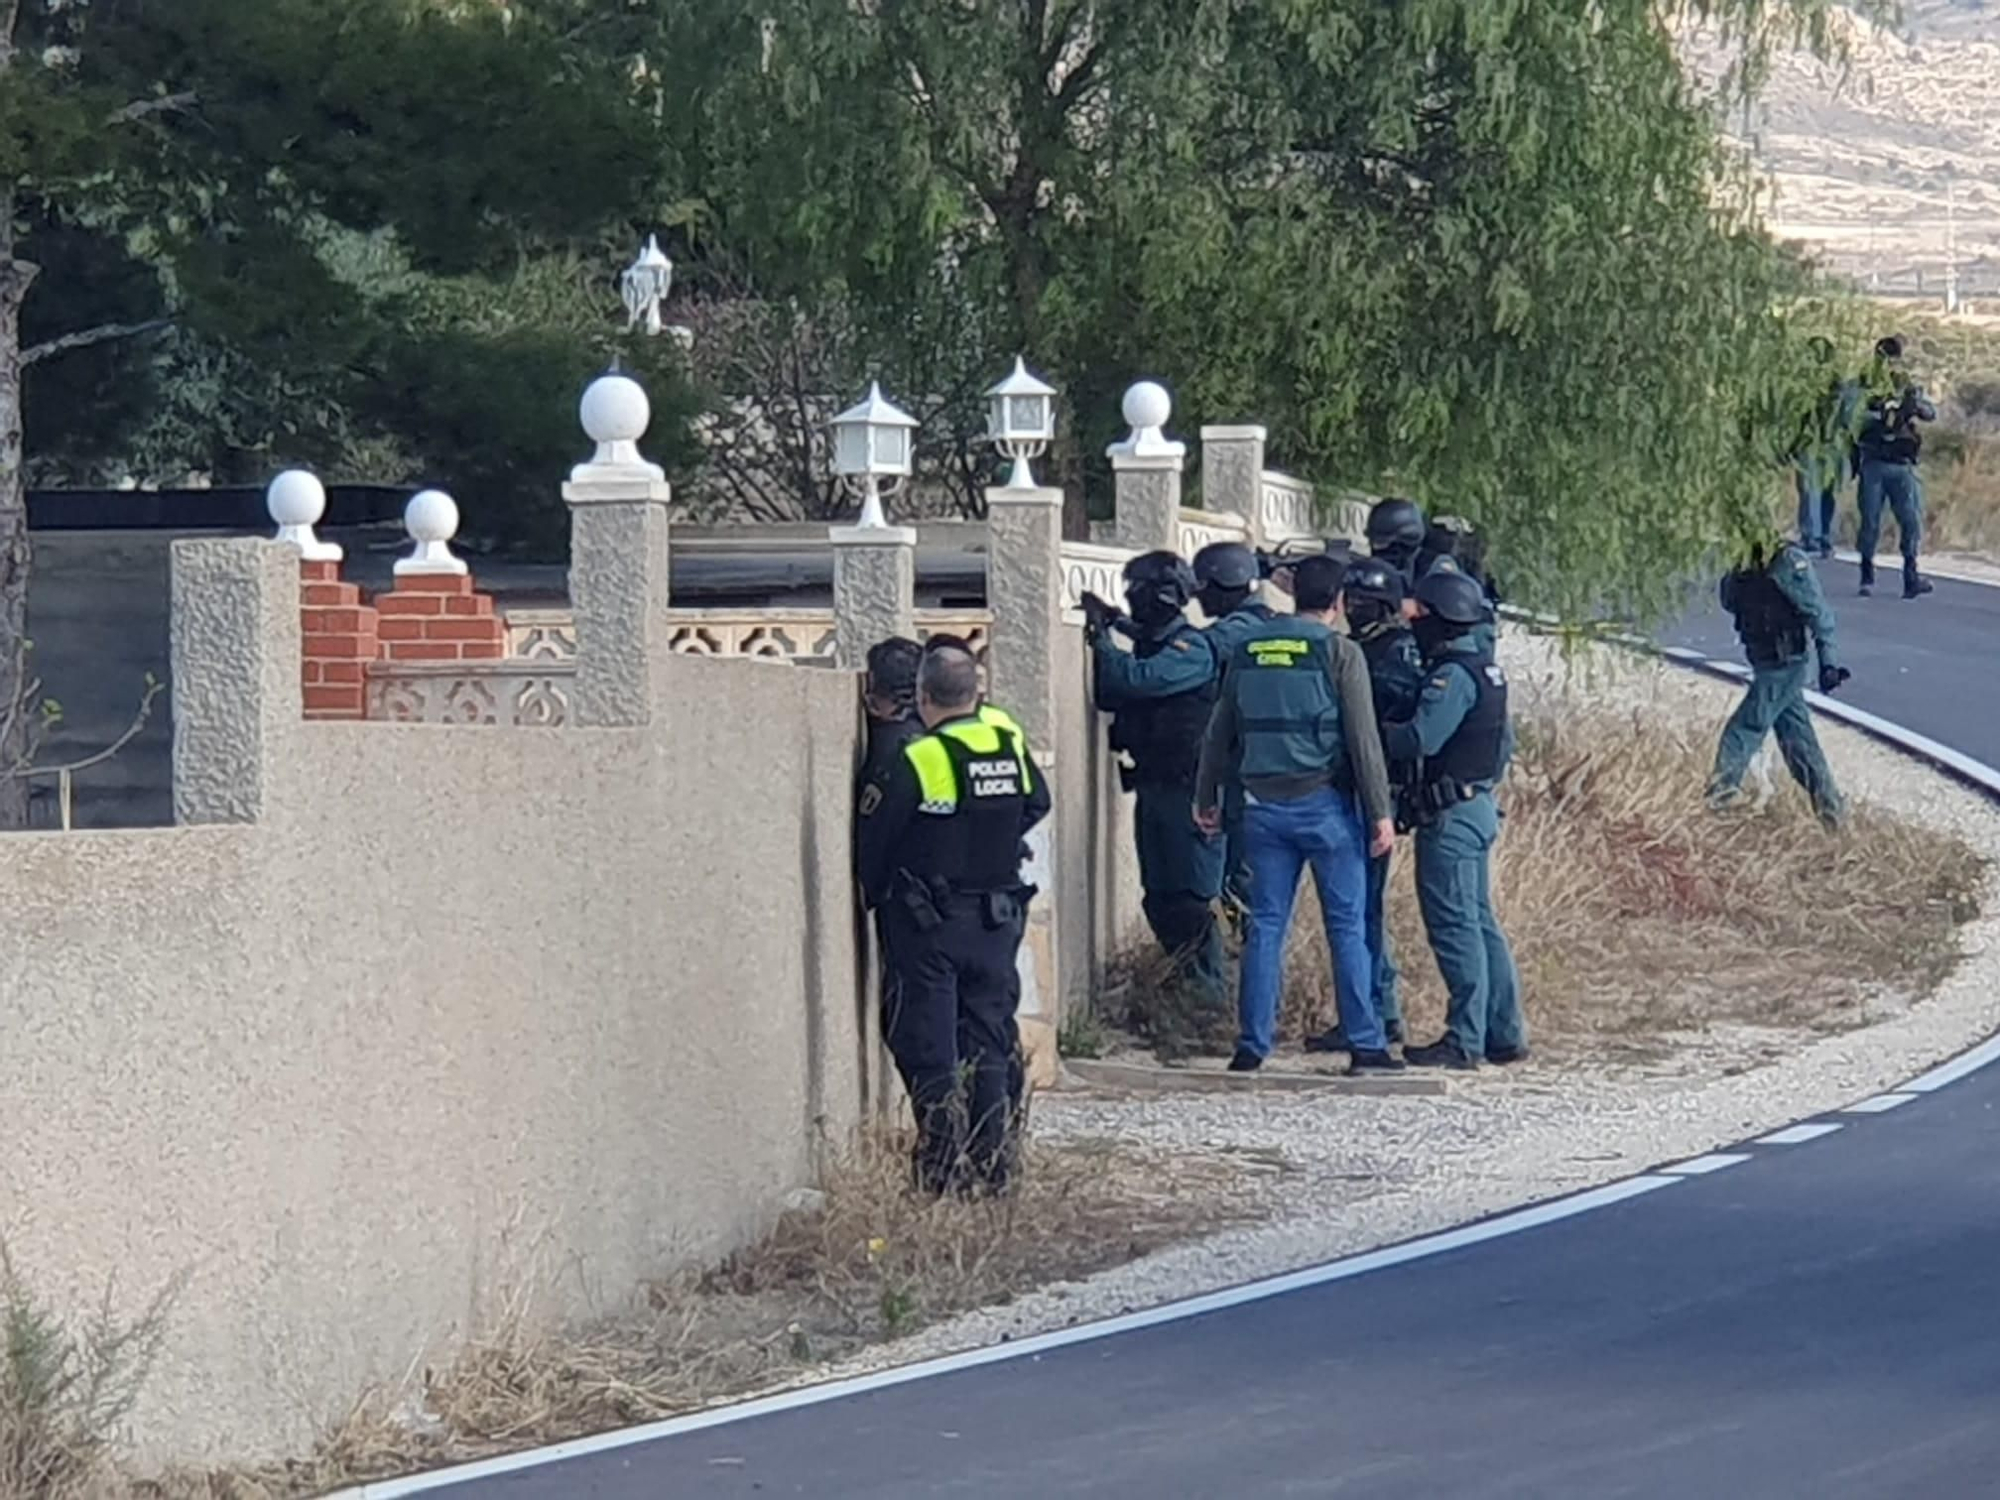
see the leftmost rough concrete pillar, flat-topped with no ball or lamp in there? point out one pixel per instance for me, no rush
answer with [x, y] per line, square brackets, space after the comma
[235, 649]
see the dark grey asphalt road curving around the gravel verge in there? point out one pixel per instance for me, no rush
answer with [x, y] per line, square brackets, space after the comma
[1815, 1321]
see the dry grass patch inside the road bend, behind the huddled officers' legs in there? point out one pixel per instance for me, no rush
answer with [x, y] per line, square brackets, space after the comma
[1639, 917]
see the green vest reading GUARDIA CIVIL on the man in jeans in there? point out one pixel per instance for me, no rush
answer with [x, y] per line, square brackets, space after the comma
[1289, 717]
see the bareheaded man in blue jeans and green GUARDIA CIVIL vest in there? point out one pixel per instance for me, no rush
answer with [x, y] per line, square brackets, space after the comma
[1295, 725]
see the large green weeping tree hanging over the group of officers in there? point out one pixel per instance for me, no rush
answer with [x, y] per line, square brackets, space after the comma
[1491, 253]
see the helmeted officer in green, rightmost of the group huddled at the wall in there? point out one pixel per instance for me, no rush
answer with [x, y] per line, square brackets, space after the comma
[1463, 739]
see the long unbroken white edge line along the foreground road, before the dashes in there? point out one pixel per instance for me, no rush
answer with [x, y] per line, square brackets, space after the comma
[1335, 1271]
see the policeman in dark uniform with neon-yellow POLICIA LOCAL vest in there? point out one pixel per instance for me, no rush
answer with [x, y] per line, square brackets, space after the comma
[945, 843]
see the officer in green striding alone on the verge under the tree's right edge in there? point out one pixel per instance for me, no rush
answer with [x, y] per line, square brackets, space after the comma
[1781, 617]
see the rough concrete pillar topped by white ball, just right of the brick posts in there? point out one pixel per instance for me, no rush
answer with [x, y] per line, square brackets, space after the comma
[619, 561]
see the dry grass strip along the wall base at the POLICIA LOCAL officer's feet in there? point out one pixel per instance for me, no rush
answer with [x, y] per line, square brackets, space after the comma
[865, 1263]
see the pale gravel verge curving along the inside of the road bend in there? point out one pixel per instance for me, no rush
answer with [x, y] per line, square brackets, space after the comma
[1343, 1175]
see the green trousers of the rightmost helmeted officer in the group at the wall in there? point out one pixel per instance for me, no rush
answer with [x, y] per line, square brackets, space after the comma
[1455, 893]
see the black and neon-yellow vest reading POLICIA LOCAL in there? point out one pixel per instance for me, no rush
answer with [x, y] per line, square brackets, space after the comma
[973, 783]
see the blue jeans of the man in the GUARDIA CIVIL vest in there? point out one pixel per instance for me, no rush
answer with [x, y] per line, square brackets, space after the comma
[1281, 839]
